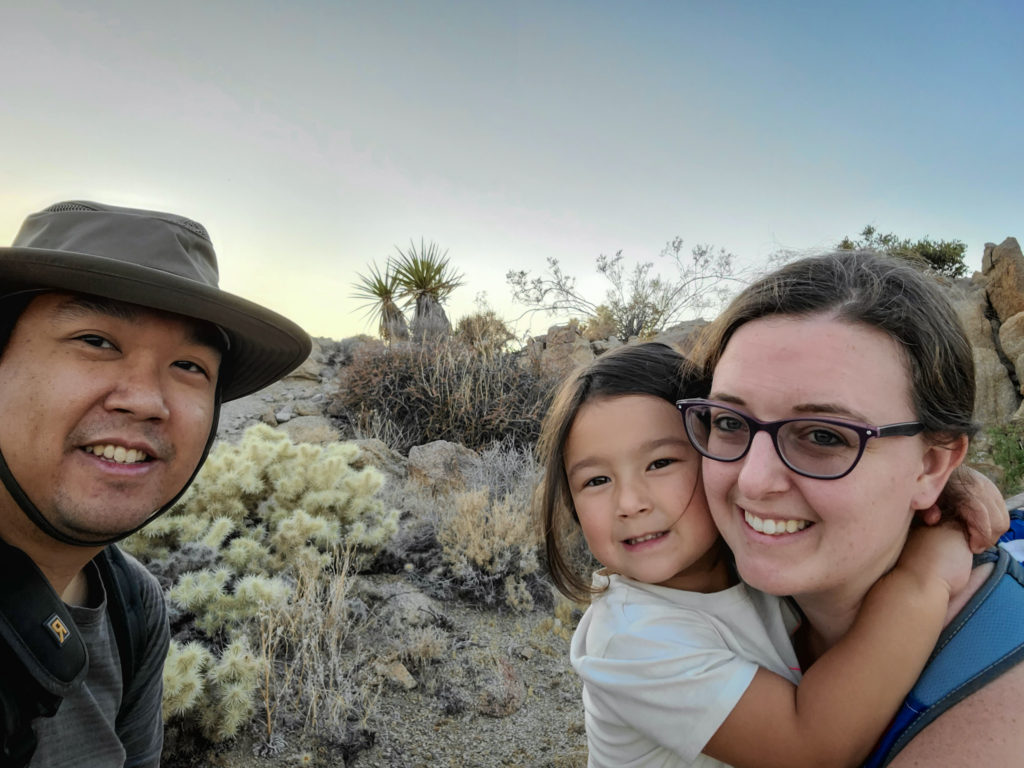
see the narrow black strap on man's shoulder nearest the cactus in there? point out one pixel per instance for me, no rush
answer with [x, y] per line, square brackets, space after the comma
[124, 606]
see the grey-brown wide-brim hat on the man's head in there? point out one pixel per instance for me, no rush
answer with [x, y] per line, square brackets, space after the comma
[157, 261]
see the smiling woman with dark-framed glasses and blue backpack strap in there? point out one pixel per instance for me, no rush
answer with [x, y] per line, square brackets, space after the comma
[841, 401]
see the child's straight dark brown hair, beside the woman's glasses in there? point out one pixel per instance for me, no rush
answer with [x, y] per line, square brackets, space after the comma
[651, 369]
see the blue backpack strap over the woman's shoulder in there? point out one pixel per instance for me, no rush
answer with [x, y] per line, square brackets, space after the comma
[985, 641]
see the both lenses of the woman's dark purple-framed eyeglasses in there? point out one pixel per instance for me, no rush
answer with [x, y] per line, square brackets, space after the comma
[812, 447]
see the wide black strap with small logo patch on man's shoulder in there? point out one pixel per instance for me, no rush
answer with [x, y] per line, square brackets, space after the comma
[42, 656]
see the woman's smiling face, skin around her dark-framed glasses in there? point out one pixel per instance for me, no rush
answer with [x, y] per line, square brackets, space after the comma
[854, 528]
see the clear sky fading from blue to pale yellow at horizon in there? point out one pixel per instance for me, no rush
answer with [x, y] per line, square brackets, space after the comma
[313, 138]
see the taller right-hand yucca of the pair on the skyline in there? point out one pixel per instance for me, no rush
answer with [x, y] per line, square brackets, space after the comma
[426, 280]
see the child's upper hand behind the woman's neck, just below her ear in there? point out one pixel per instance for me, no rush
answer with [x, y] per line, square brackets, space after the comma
[974, 500]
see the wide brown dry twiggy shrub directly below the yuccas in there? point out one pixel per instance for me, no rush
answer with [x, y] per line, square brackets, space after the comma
[445, 393]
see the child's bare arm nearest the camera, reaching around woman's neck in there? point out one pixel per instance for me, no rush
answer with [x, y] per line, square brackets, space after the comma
[849, 696]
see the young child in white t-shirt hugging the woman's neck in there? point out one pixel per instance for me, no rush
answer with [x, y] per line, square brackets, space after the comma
[678, 658]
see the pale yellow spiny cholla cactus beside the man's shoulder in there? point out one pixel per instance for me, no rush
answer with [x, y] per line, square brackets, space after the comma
[229, 552]
